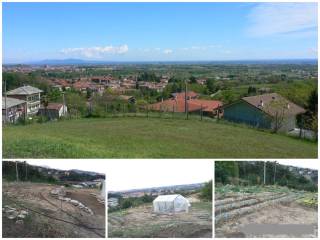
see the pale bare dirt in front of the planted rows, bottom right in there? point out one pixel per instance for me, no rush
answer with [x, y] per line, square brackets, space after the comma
[273, 216]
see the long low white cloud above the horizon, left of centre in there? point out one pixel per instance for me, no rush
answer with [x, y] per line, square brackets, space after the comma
[96, 52]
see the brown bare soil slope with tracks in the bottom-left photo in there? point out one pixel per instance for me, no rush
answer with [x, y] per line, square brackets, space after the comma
[36, 199]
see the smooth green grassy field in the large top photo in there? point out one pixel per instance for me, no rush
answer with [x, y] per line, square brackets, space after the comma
[131, 137]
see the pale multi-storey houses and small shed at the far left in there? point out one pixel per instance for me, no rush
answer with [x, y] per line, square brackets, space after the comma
[25, 102]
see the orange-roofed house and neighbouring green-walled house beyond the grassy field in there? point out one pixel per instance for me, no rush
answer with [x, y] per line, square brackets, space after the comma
[268, 111]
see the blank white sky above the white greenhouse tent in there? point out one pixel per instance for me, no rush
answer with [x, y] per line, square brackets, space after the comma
[133, 174]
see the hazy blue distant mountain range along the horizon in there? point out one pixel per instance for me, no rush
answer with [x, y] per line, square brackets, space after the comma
[74, 61]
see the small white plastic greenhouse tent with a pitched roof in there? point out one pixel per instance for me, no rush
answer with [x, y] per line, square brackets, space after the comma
[171, 204]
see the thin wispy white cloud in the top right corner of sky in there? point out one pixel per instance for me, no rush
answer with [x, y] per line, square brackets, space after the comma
[283, 18]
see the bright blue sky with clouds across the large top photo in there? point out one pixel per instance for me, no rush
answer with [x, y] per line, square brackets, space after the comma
[159, 31]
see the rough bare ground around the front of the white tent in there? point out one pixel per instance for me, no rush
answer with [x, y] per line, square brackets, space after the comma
[142, 222]
